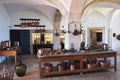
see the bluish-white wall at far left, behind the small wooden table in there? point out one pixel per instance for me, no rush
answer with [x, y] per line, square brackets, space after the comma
[4, 26]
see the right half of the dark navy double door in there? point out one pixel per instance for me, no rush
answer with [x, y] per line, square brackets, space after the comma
[25, 41]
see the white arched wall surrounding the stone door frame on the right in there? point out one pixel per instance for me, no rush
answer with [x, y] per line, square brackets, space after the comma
[96, 20]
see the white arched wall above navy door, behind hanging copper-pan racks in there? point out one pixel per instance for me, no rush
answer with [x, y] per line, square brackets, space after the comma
[44, 13]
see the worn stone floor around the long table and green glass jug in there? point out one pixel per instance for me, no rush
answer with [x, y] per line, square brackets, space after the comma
[32, 73]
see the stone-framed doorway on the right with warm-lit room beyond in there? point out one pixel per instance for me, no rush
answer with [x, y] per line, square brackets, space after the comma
[95, 37]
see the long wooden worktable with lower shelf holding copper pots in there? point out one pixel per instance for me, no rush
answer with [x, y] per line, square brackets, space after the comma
[78, 56]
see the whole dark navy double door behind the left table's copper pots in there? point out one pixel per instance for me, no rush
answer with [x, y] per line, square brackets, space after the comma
[23, 36]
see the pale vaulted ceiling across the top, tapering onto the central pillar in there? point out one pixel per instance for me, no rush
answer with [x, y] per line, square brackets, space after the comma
[71, 9]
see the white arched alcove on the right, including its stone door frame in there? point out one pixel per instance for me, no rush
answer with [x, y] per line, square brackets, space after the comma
[94, 21]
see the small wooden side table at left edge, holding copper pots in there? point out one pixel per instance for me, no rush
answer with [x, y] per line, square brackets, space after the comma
[9, 53]
